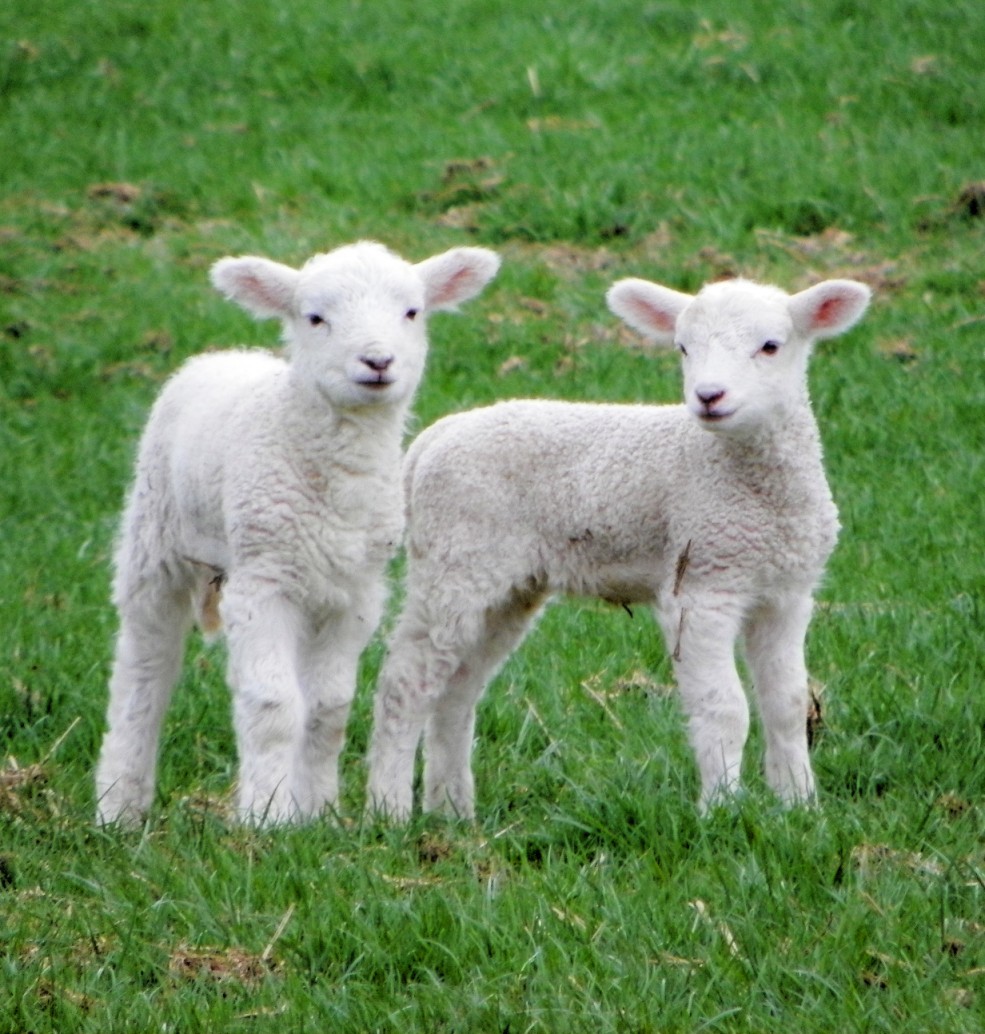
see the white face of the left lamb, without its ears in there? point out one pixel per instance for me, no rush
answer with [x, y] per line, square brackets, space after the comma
[357, 332]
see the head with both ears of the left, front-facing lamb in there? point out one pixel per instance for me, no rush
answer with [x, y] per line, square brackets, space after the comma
[355, 319]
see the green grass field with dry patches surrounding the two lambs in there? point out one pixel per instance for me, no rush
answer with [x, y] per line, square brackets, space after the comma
[586, 142]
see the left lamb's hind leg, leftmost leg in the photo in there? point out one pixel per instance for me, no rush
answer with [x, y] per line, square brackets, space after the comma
[155, 621]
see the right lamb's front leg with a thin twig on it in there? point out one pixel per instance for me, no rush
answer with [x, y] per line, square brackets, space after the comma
[701, 634]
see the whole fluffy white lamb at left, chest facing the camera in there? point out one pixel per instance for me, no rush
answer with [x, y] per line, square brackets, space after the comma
[267, 499]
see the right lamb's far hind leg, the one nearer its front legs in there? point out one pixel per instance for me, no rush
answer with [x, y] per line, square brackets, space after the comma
[448, 741]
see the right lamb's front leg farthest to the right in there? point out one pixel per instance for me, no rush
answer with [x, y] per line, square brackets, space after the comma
[775, 644]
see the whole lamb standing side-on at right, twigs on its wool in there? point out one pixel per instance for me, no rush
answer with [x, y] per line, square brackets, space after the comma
[716, 512]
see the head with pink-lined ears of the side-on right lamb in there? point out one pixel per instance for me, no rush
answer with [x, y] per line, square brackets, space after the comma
[745, 347]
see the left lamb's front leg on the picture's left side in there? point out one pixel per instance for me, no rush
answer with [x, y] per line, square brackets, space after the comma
[264, 632]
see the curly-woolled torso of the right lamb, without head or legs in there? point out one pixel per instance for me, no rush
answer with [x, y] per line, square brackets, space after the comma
[605, 500]
